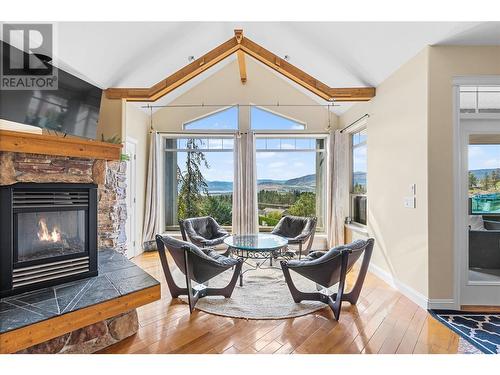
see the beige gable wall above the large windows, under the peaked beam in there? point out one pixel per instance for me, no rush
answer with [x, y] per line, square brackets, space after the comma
[262, 87]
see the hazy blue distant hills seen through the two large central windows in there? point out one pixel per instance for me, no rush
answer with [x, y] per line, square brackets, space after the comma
[303, 183]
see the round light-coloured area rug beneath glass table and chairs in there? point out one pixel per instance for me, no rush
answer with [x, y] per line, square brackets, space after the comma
[264, 295]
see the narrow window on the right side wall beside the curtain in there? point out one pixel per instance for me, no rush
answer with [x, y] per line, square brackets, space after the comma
[358, 177]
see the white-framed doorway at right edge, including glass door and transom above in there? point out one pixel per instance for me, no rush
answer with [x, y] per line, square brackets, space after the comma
[478, 200]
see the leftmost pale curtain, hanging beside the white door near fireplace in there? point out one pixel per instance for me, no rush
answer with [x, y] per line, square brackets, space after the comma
[152, 210]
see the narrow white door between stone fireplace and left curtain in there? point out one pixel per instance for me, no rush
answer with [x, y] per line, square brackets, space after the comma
[131, 227]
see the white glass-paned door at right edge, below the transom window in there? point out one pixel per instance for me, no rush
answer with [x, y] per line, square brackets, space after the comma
[480, 213]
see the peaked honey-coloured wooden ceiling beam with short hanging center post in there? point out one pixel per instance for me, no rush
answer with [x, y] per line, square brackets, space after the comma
[240, 45]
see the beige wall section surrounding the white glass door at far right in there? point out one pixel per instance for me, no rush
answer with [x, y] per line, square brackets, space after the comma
[447, 62]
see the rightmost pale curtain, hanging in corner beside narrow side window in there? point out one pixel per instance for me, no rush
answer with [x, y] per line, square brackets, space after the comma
[338, 204]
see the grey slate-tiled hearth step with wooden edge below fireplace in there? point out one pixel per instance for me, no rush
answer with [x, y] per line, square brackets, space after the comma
[32, 318]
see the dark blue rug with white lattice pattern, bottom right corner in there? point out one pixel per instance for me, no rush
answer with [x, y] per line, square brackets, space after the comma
[481, 330]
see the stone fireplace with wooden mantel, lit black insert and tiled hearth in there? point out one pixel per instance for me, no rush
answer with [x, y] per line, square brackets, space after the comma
[66, 199]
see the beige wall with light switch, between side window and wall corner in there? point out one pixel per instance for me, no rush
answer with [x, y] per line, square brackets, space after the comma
[397, 158]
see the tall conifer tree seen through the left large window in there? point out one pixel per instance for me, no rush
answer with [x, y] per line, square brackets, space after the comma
[192, 183]
